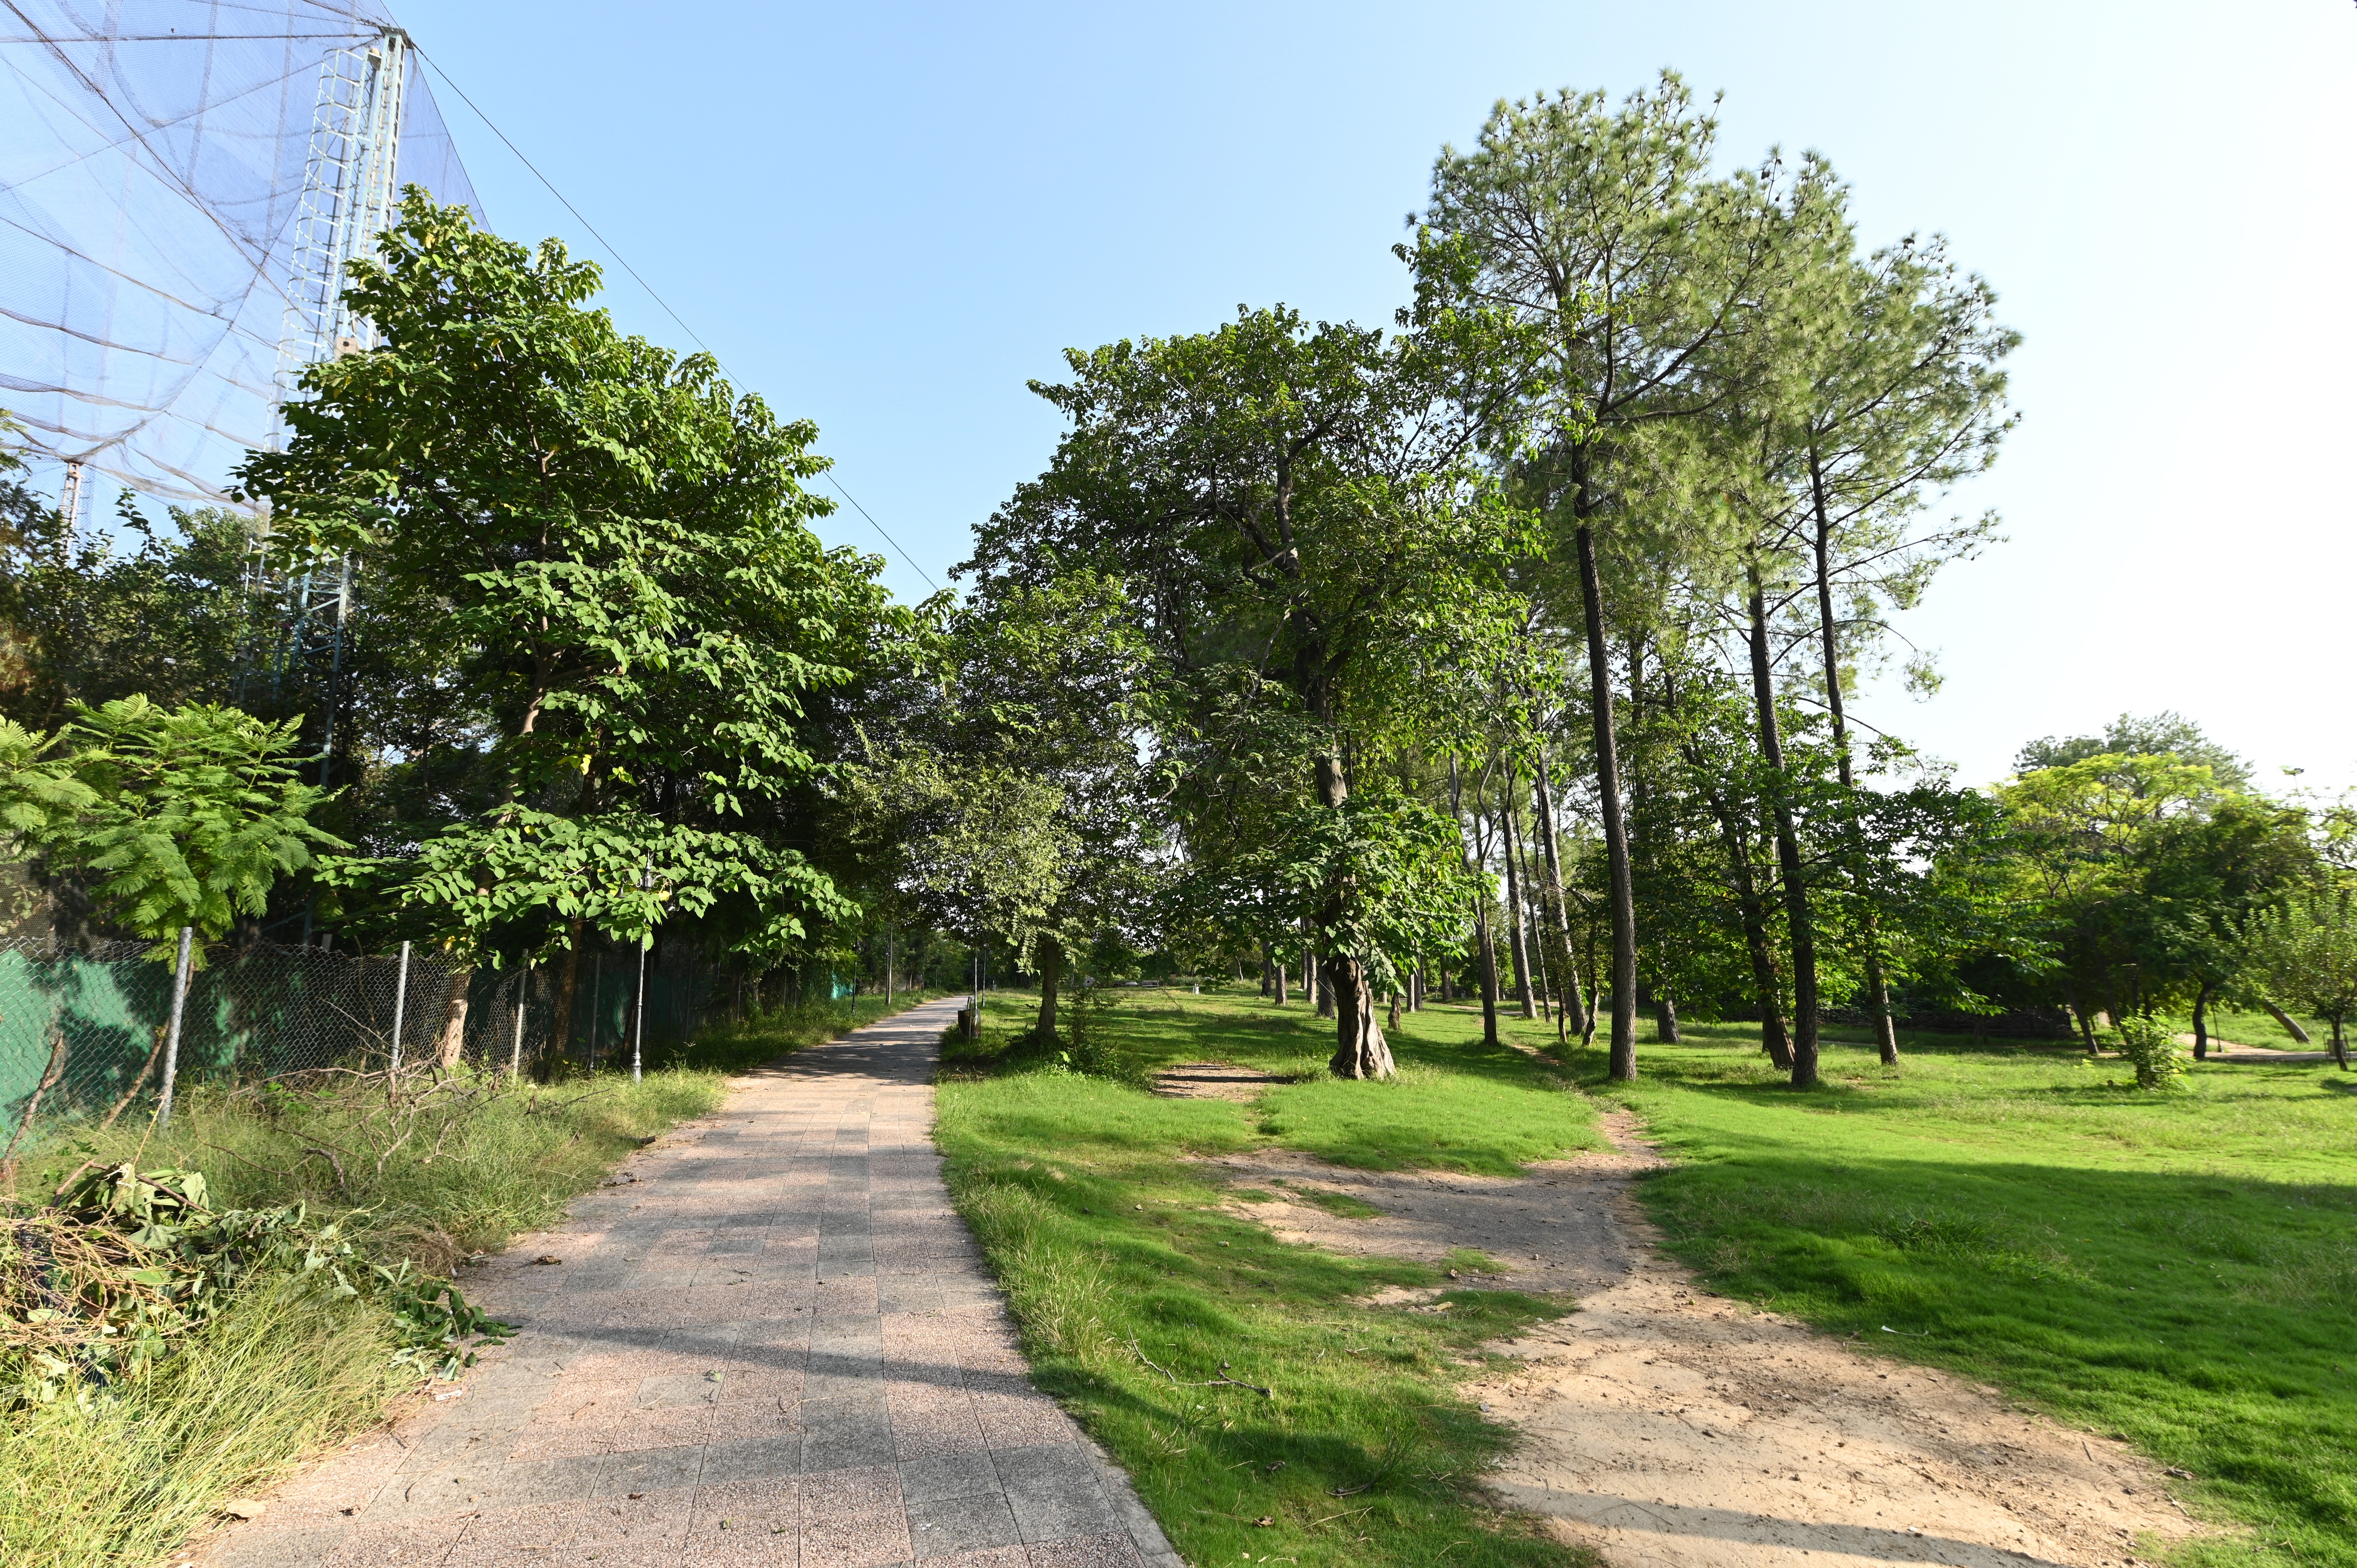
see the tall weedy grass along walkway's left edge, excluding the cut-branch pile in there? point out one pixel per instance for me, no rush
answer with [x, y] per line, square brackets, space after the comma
[277, 1378]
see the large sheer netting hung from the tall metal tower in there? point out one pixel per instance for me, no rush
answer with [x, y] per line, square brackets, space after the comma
[152, 192]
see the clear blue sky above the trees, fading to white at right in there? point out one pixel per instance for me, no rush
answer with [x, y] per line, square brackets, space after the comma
[890, 218]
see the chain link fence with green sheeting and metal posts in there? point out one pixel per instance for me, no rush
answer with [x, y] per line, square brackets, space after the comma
[84, 1029]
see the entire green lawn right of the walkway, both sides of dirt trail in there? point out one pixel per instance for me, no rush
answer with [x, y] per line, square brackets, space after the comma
[2177, 1270]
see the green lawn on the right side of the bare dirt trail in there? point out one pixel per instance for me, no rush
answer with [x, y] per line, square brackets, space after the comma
[2172, 1267]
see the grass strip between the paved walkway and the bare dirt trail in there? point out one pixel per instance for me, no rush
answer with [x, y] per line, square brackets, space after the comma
[1116, 1253]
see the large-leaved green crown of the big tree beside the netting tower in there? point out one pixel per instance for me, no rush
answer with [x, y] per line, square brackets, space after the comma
[605, 558]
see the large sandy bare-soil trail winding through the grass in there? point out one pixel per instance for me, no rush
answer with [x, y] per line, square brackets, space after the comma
[1668, 1428]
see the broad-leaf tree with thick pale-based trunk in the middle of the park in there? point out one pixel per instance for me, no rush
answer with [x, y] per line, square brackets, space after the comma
[1302, 541]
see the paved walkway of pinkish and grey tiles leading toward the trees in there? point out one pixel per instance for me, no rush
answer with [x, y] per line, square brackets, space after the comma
[774, 1348]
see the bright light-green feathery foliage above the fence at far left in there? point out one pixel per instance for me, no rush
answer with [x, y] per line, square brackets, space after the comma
[173, 817]
